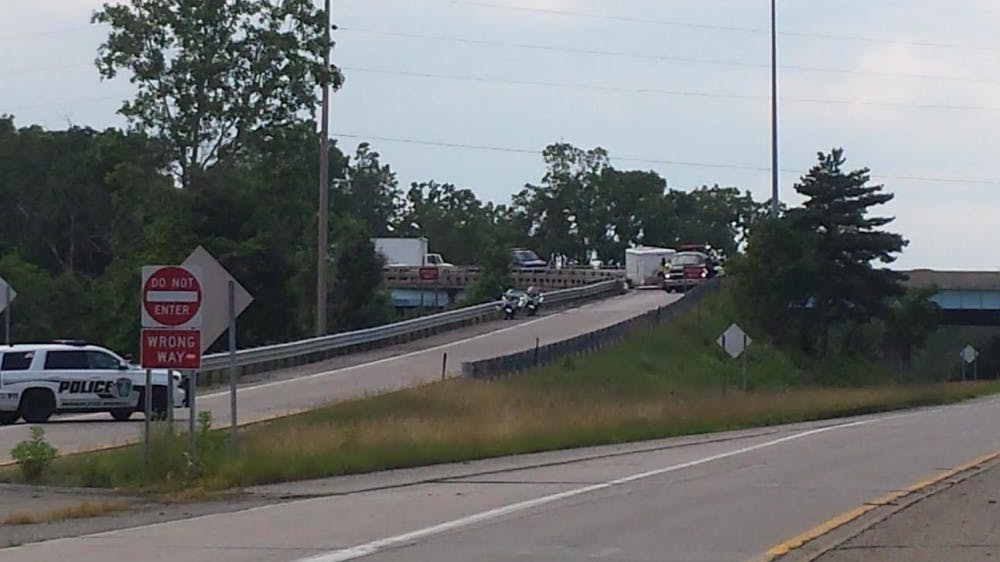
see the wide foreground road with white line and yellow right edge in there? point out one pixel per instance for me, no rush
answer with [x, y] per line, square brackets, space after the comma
[711, 499]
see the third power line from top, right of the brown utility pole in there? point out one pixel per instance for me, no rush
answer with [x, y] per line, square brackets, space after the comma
[661, 91]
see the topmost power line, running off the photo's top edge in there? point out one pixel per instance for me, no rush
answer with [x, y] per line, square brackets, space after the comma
[725, 28]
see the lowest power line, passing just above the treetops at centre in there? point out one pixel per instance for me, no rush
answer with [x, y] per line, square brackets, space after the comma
[716, 165]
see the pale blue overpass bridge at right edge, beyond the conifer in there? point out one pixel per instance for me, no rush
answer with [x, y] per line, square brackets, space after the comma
[970, 298]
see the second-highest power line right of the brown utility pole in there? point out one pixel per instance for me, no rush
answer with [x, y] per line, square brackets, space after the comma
[670, 58]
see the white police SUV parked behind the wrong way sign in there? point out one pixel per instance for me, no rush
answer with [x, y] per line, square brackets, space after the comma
[39, 380]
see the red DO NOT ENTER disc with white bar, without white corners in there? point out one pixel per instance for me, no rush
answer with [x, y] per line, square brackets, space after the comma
[172, 296]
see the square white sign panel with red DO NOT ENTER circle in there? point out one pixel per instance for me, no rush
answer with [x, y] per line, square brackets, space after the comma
[171, 297]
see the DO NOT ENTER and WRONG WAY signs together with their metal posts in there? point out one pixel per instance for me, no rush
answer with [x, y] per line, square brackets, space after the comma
[171, 329]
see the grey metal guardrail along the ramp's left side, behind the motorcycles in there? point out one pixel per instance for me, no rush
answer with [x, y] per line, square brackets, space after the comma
[268, 358]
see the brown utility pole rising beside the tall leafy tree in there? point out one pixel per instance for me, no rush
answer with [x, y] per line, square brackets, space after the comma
[322, 244]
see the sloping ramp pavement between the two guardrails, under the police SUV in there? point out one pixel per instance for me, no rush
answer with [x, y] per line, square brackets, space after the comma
[308, 387]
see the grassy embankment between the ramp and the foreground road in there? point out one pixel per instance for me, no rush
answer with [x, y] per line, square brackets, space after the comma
[661, 383]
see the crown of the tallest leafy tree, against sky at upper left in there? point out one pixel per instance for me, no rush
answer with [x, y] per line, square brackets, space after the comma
[210, 73]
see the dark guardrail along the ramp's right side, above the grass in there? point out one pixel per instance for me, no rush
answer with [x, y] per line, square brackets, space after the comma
[584, 343]
